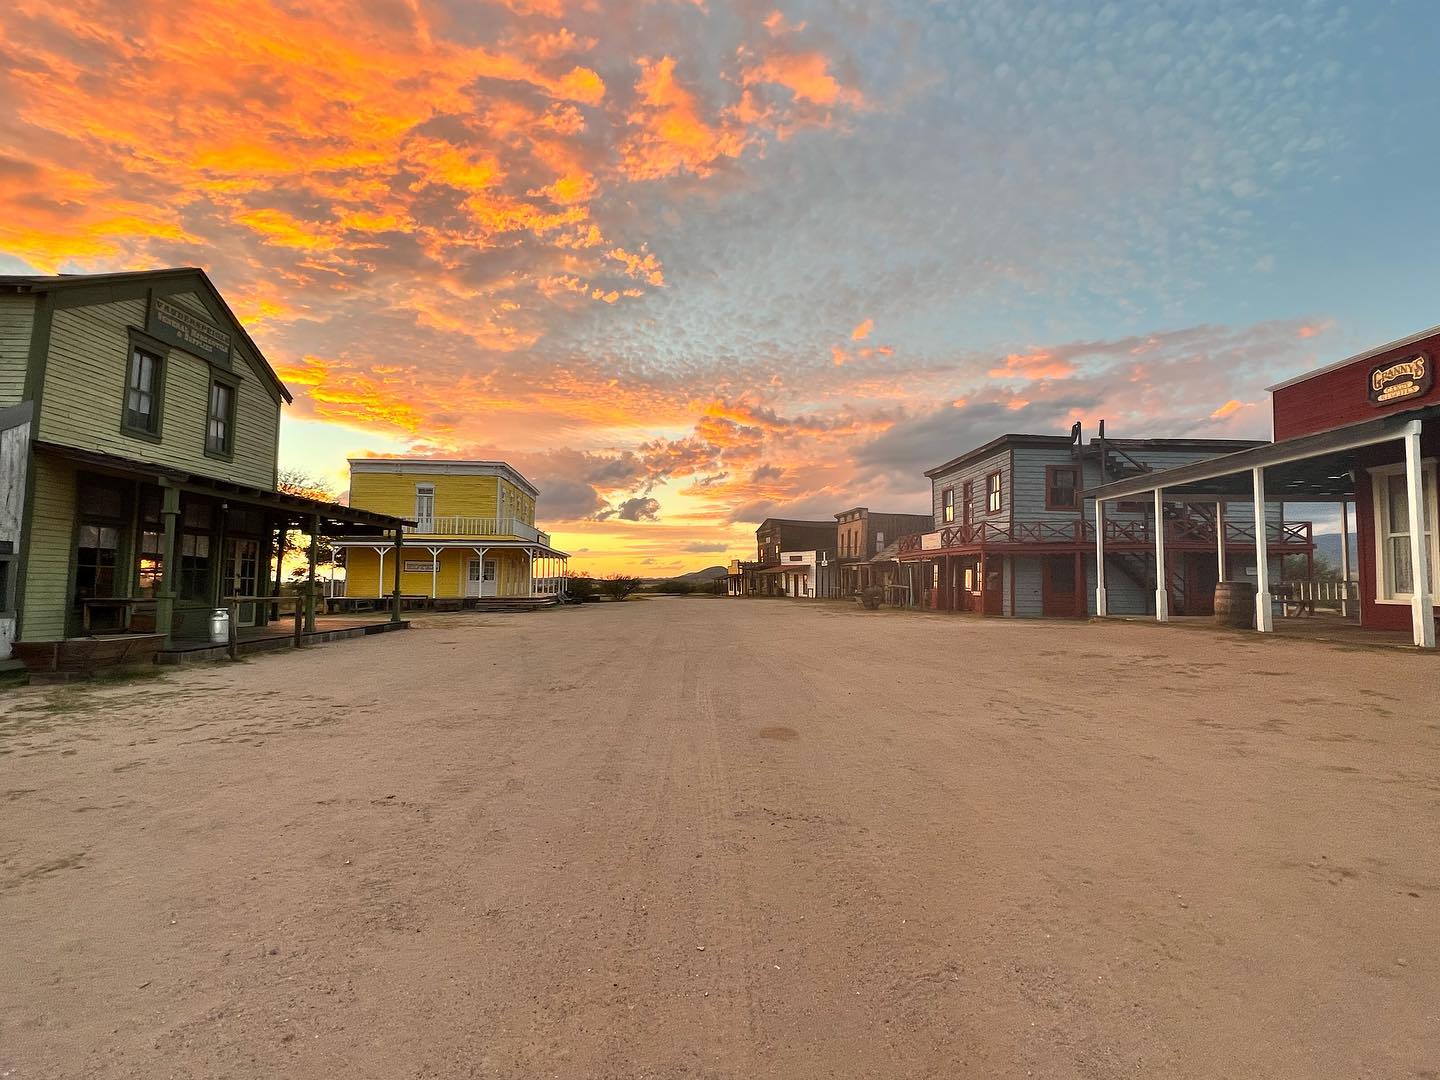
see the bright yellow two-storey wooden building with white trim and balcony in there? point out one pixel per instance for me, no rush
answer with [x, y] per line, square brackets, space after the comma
[474, 538]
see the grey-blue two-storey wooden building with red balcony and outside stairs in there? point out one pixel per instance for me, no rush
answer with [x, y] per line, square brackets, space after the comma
[1013, 534]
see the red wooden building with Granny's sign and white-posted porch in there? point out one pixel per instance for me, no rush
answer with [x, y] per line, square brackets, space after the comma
[1366, 430]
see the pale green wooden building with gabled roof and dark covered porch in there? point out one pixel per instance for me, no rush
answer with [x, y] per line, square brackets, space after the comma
[139, 437]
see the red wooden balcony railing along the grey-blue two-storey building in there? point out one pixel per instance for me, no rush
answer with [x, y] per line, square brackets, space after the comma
[1184, 534]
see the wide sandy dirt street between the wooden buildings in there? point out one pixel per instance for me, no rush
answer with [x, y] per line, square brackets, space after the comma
[731, 839]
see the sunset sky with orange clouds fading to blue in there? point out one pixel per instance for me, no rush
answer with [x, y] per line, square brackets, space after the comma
[689, 264]
